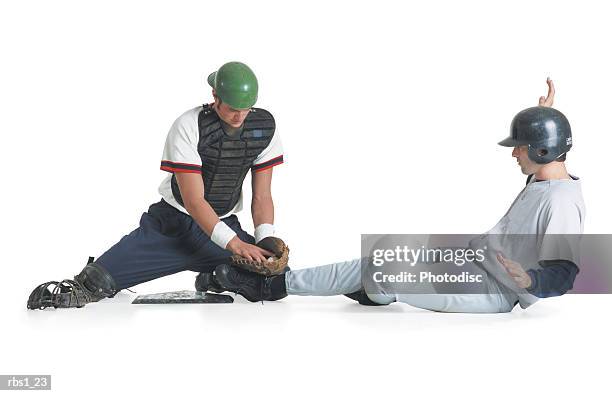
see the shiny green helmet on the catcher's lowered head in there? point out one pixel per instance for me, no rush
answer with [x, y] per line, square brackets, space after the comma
[235, 84]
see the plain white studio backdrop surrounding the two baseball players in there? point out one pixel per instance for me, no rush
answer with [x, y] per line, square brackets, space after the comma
[389, 114]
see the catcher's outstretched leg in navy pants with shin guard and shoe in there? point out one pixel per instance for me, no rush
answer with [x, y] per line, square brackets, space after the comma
[166, 242]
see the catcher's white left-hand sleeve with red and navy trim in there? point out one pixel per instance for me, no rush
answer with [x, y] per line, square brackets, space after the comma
[181, 149]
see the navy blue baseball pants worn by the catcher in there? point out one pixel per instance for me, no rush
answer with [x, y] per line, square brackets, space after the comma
[168, 241]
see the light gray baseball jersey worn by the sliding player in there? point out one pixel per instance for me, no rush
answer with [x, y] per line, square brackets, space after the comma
[543, 223]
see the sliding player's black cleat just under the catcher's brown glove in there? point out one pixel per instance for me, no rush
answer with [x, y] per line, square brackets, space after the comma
[252, 286]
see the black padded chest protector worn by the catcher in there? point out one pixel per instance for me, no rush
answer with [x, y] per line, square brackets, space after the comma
[227, 159]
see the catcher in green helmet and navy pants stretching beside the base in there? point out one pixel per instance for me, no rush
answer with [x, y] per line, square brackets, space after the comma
[208, 152]
